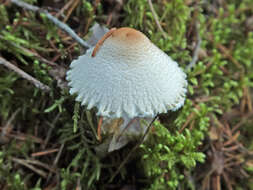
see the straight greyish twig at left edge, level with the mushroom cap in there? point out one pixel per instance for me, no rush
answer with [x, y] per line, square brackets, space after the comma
[24, 75]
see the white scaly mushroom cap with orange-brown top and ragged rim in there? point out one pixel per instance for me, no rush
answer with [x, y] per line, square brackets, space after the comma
[127, 76]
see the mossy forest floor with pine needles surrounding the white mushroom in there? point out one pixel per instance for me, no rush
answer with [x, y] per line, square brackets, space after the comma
[49, 142]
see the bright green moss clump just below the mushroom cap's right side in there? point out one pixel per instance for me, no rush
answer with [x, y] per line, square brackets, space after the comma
[164, 155]
